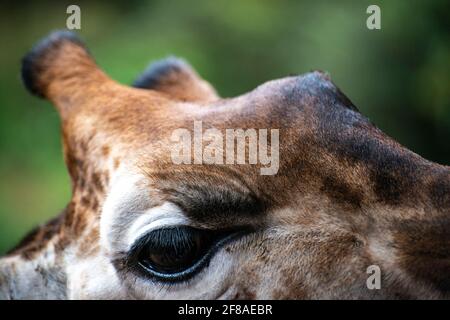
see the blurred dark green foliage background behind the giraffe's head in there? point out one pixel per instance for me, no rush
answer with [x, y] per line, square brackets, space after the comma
[398, 76]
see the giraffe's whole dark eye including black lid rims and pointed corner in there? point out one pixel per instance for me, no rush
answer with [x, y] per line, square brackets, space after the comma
[177, 253]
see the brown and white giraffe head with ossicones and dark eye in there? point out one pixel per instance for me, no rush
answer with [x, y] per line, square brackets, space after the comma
[346, 196]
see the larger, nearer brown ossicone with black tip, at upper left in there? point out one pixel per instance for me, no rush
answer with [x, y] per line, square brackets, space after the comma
[60, 68]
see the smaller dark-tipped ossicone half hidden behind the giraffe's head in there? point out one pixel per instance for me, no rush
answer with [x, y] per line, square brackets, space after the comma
[176, 78]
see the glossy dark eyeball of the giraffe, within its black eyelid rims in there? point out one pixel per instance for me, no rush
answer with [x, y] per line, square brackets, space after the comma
[172, 250]
